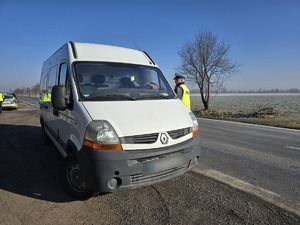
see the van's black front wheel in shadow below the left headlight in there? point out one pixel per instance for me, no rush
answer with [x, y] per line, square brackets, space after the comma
[73, 180]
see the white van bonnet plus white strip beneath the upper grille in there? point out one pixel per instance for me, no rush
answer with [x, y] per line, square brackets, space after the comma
[127, 119]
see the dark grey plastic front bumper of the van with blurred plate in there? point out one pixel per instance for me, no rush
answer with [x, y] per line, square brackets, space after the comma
[110, 171]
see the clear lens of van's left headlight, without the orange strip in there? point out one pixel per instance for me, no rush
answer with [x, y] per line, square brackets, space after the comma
[101, 131]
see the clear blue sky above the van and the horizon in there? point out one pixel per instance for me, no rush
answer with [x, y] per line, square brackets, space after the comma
[264, 34]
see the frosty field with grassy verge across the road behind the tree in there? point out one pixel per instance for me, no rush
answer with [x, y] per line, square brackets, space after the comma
[238, 106]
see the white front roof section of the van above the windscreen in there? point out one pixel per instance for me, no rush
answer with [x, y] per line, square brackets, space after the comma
[99, 52]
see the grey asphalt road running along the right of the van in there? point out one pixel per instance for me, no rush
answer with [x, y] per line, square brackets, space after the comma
[265, 157]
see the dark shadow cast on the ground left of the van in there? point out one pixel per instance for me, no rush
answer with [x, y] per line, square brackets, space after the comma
[29, 168]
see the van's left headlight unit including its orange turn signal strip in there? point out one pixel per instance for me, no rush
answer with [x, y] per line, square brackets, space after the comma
[100, 135]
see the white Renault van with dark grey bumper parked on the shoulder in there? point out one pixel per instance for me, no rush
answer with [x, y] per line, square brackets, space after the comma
[115, 119]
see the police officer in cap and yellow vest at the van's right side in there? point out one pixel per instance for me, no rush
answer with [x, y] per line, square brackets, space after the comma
[182, 90]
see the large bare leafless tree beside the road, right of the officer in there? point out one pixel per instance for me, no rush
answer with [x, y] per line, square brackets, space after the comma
[205, 61]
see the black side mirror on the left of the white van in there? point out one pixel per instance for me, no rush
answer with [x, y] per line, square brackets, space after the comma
[58, 97]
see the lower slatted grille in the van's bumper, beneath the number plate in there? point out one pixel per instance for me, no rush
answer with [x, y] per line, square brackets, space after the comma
[139, 178]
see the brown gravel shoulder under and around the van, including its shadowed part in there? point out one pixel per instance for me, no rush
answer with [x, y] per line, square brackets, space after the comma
[31, 190]
